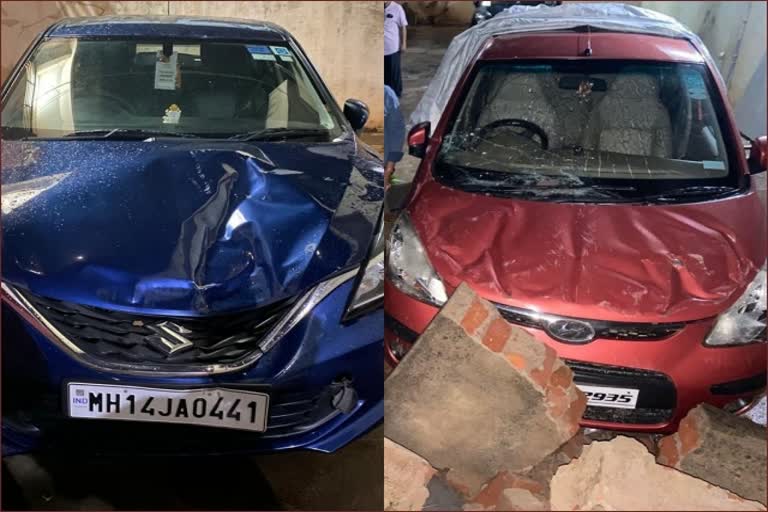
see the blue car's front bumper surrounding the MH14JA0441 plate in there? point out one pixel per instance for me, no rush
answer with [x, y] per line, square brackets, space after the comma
[319, 358]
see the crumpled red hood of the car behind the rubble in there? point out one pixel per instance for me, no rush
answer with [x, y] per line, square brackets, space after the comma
[654, 263]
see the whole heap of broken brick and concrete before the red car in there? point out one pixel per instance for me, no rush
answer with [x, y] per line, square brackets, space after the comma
[480, 405]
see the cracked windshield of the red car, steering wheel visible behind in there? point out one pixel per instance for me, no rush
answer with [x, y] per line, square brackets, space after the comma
[592, 130]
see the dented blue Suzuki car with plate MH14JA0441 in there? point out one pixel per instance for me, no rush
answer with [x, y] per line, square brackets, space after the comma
[192, 256]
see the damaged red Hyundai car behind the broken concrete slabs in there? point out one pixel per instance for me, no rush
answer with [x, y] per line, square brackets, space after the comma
[595, 187]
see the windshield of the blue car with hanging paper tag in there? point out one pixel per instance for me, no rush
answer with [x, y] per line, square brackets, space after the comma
[73, 86]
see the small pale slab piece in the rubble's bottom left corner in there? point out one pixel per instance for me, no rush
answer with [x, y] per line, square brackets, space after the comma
[406, 476]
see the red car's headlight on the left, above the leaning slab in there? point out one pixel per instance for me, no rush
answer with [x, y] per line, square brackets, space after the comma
[408, 267]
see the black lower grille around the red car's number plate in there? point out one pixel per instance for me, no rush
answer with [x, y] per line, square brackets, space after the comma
[656, 401]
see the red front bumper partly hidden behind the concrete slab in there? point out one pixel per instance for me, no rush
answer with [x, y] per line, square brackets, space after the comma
[673, 375]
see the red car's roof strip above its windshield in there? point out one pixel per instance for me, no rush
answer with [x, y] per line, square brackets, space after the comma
[572, 44]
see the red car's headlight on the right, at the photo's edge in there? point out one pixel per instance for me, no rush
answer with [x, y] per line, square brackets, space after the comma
[744, 322]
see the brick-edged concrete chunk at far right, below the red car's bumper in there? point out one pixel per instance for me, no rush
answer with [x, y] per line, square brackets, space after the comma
[721, 448]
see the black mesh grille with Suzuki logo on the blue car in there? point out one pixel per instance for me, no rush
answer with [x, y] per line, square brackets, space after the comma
[126, 338]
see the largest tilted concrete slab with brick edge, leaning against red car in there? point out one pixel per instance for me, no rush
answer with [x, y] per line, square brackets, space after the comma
[477, 395]
